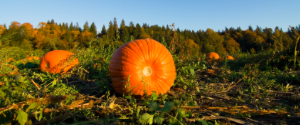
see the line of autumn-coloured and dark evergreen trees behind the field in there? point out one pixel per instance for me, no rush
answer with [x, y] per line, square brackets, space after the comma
[50, 35]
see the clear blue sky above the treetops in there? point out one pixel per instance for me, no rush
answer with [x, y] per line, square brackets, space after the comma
[185, 14]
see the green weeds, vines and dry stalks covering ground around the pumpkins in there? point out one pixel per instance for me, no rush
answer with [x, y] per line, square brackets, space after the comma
[257, 88]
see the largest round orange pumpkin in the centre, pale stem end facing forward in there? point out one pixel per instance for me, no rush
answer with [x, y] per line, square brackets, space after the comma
[146, 61]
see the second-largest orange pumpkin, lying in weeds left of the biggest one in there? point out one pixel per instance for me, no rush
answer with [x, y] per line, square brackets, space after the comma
[58, 61]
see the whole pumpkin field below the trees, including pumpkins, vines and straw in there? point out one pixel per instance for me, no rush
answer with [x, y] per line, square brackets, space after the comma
[147, 81]
